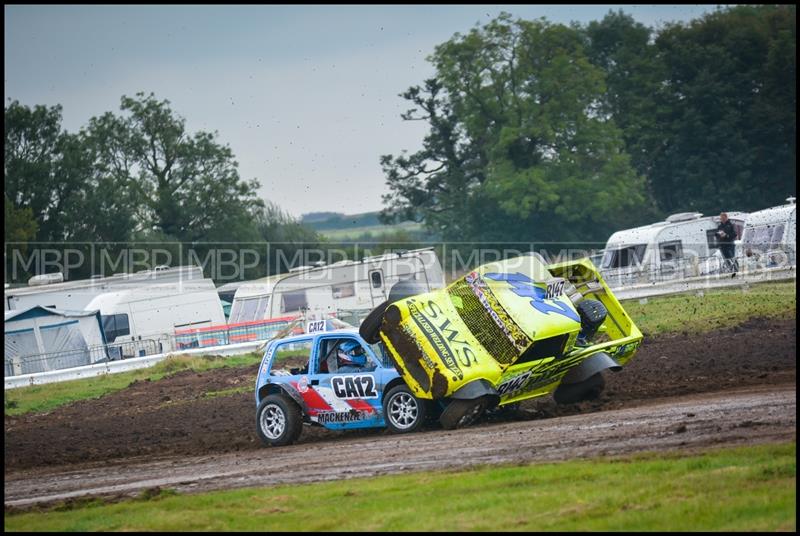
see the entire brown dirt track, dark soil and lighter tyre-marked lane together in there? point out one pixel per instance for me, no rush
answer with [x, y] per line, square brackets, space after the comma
[143, 436]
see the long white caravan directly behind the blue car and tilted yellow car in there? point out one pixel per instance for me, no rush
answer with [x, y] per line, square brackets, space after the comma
[336, 288]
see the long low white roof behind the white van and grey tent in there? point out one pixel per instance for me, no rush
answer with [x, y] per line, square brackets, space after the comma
[50, 290]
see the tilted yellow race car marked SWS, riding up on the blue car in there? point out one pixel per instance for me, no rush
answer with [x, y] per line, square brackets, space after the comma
[505, 332]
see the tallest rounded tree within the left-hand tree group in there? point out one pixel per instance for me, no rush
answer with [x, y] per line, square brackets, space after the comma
[185, 186]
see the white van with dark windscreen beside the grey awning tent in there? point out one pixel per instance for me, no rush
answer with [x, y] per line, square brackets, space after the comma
[154, 312]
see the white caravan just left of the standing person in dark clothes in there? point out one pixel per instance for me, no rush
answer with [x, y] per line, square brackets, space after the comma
[675, 248]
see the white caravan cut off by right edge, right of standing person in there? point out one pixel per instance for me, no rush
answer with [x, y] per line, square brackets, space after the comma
[770, 237]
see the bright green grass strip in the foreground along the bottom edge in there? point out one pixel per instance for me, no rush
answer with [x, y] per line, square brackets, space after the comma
[733, 489]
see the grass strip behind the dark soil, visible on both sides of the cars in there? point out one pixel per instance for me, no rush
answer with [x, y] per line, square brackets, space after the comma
[683, 312]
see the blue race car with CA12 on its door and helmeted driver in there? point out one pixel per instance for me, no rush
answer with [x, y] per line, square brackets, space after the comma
[333, 379]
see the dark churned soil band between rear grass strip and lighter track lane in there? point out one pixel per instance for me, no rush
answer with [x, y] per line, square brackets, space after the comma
[190, 414]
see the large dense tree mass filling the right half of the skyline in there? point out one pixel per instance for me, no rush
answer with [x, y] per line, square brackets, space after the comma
[552, 132]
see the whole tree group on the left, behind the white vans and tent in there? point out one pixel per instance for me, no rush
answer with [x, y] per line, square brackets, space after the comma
[137, 178]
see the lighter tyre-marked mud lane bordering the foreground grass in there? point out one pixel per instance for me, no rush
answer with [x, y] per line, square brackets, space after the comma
[744, 416]
